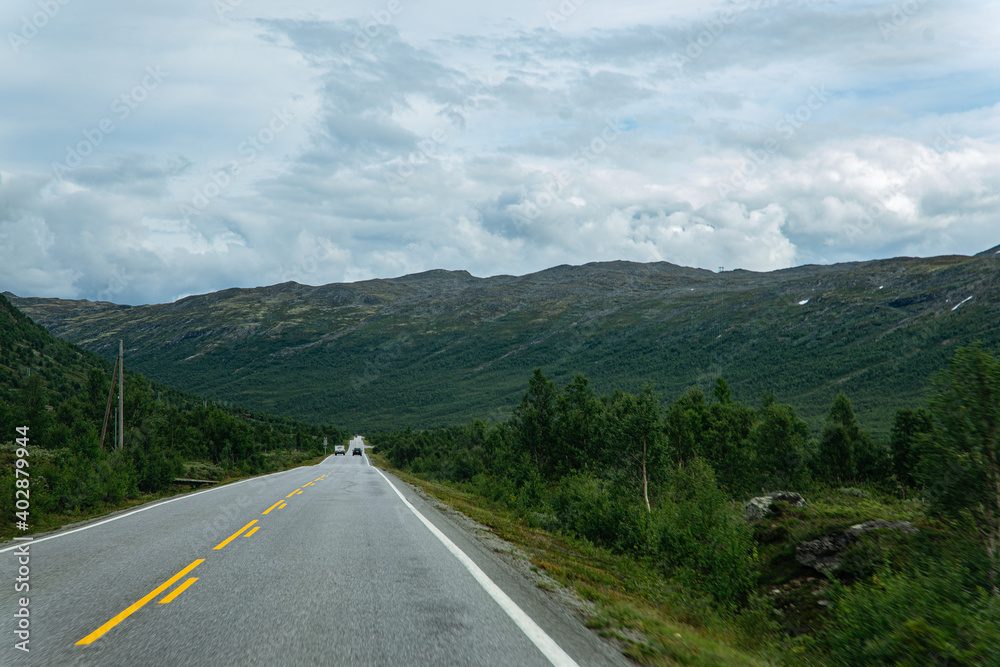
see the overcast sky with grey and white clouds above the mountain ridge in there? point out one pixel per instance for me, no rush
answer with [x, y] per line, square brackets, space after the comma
[154, 150]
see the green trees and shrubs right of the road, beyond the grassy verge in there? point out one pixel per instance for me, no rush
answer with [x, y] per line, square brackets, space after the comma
[667, 485]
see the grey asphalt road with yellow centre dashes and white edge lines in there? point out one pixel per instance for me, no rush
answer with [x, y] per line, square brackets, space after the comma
[332, 567]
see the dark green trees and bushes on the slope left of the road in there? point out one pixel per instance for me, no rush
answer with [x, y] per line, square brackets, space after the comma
[60, 393]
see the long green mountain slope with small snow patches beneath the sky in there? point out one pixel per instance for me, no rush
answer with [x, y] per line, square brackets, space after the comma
[440, 347]
